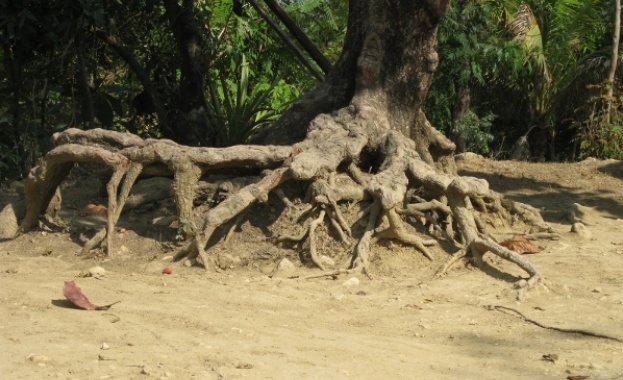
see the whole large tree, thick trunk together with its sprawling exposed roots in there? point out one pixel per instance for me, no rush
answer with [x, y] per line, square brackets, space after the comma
[360, 136]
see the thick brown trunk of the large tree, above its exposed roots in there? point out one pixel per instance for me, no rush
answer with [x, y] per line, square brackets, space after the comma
[396, 48]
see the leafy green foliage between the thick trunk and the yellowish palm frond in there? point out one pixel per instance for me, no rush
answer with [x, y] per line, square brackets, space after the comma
[473, 59]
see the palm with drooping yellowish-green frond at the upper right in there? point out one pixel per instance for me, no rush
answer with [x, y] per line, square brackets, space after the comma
[555, 37]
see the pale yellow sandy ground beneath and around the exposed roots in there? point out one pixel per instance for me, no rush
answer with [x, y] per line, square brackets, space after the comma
[242, 323]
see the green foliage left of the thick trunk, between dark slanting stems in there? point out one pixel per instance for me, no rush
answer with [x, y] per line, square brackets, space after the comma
[42, 79]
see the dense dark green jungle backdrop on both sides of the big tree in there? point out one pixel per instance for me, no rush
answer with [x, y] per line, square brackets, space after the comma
[214, 73]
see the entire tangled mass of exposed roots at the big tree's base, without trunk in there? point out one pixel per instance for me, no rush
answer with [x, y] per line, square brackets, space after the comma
[345, 158]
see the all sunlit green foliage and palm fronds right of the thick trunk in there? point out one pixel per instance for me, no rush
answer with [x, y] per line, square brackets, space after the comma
[526, 61]
